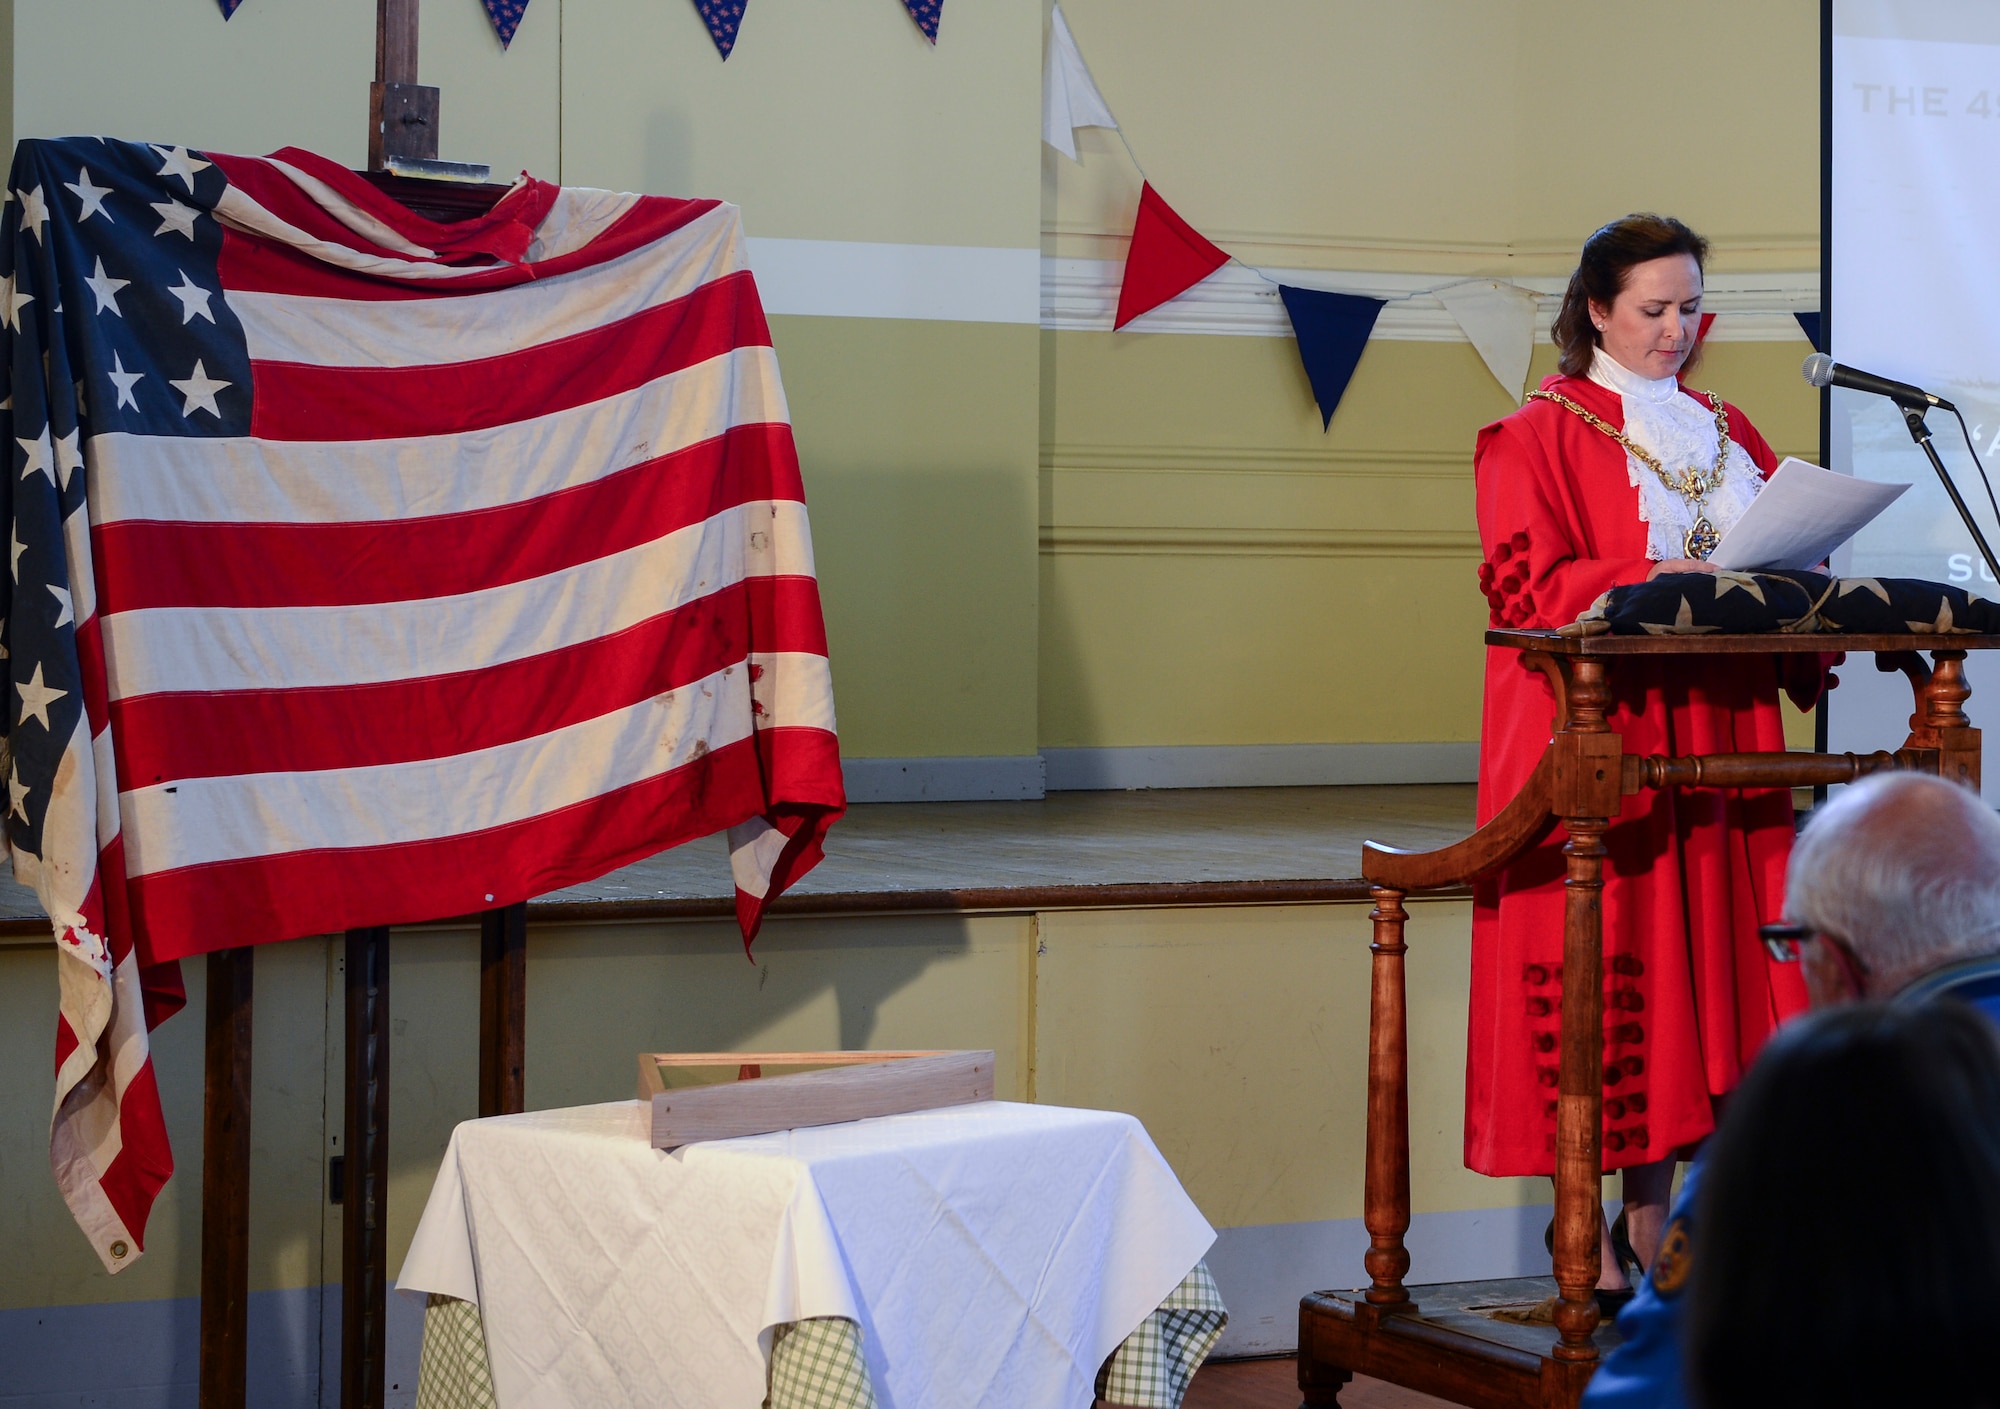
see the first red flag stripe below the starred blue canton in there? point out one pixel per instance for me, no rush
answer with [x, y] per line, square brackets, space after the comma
[153, 563]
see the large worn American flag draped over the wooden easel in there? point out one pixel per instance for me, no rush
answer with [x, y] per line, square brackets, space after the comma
[373, 571]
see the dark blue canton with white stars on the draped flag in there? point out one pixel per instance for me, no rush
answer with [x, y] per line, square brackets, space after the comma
[117, 325]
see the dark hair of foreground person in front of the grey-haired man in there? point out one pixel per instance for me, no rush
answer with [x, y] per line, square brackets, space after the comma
[1849, 1220]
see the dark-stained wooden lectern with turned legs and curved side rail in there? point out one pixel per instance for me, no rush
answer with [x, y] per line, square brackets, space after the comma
[1437, 1340]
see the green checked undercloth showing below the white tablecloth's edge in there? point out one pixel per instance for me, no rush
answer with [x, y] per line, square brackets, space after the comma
[819, 1364]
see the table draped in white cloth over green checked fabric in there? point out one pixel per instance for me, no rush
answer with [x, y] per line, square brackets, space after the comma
[991, 1254]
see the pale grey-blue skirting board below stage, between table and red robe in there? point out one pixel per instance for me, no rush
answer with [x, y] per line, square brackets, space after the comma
[1263, 1272]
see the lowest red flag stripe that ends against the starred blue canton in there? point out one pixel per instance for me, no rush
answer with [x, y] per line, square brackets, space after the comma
[373, 403]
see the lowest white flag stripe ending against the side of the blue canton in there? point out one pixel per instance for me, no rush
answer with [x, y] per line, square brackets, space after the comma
[471, 327]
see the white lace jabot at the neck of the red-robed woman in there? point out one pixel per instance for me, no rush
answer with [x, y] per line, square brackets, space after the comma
[1681, 433]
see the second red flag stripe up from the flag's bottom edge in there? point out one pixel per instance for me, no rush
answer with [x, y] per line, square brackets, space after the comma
[205, 736]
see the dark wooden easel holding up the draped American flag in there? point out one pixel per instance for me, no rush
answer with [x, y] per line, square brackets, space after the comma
[403, 123]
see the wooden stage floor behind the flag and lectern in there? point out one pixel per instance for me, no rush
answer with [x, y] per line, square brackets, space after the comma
[1067, 840]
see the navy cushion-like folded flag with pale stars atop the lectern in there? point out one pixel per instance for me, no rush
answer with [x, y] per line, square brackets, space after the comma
[1747, 603]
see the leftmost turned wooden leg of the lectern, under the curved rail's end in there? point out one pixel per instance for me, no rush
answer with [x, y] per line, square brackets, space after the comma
[1387, 1198]
